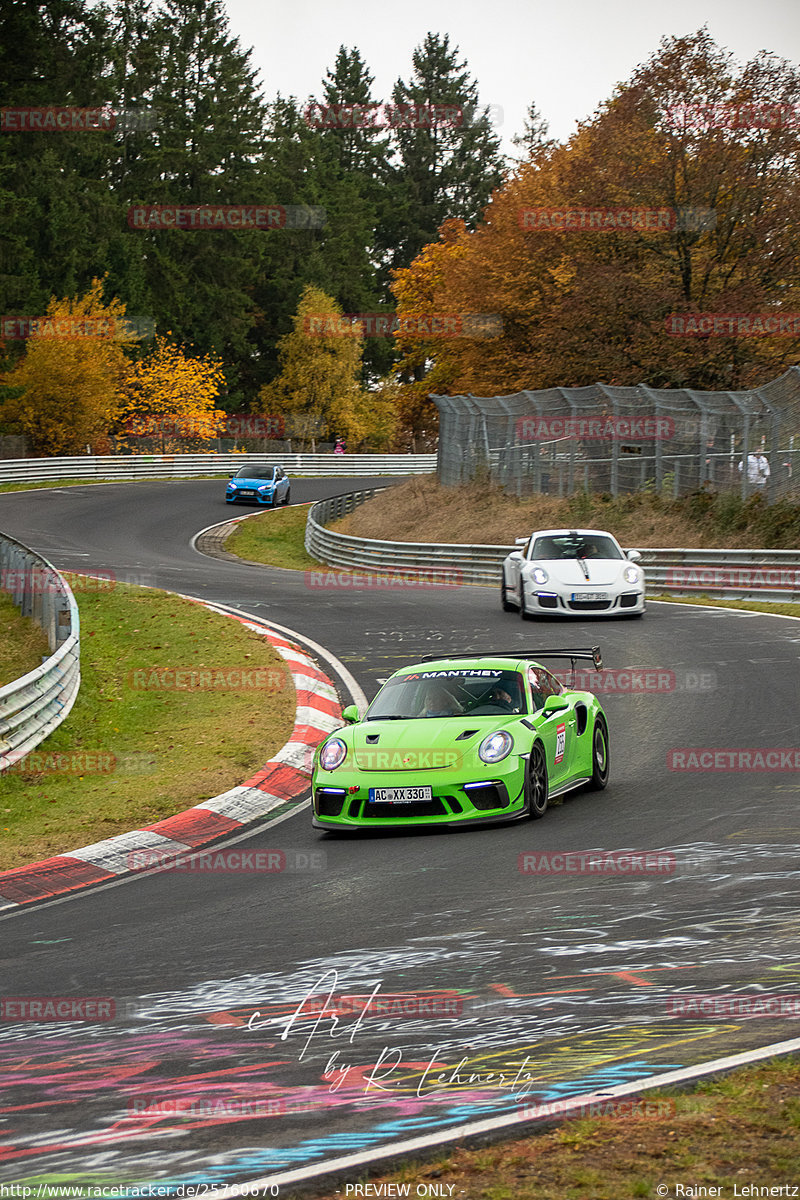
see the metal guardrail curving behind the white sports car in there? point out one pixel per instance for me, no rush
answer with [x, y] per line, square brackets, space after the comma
[727, 574]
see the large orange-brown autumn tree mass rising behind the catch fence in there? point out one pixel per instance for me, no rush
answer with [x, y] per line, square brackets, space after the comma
[581, 305]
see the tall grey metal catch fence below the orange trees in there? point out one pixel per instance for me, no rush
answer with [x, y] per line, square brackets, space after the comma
[625, 440]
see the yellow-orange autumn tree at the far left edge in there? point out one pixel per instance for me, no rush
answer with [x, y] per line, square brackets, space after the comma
[69, 388]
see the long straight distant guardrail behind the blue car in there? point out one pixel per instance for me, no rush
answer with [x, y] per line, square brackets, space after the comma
[185, 466]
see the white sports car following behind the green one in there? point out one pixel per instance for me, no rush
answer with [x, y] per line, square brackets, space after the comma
[573, 572]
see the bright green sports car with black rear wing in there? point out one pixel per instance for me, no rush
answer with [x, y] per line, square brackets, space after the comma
[462, 740]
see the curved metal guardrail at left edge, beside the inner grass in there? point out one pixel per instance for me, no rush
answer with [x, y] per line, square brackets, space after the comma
[35, 705]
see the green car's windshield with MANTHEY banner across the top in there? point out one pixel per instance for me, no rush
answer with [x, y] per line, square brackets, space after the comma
[458, 692]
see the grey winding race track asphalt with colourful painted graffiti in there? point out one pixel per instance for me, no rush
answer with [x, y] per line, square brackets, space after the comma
[497, 988]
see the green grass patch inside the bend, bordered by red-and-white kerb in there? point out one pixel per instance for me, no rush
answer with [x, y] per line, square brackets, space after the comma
[135, 749]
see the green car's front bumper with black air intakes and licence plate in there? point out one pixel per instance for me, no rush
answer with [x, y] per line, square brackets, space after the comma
[341, 799]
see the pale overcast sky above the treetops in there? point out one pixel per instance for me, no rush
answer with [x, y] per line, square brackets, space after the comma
[566, 56]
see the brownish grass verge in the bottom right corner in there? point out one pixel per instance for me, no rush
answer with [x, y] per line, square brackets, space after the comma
[736, 1132]
